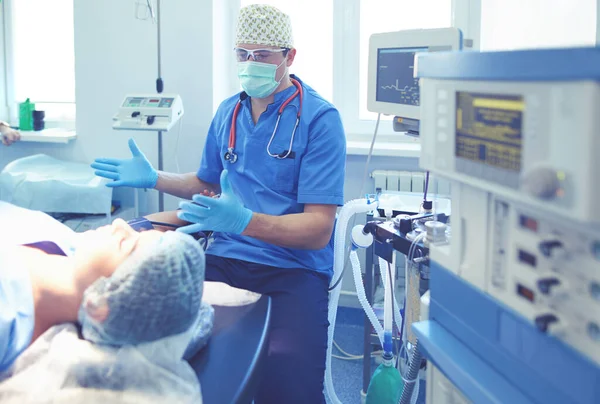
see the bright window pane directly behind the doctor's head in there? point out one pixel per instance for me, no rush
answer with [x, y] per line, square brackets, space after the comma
[313, 38]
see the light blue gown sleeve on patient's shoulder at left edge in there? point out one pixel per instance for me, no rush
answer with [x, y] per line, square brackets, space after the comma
[16, 309]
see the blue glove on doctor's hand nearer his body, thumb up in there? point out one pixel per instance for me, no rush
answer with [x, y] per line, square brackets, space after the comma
[224, 214]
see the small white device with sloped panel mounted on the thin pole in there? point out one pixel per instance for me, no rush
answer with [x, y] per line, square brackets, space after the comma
[154, 112]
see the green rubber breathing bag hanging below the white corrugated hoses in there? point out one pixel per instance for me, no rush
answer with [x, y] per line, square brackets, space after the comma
[386, 384]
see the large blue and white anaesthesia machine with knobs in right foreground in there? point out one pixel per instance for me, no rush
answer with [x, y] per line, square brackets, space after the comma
[514, 313]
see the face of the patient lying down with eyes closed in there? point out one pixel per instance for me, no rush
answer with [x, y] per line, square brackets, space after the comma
[102, 250]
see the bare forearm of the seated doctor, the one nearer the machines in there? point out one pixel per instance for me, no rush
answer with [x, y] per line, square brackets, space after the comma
[310, 229]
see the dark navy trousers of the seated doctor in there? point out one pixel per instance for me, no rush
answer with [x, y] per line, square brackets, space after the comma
[295, 366]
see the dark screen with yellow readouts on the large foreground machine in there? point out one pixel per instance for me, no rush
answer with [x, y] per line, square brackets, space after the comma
[489, 129]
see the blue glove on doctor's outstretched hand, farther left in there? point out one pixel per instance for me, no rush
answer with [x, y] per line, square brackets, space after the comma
[136, 172]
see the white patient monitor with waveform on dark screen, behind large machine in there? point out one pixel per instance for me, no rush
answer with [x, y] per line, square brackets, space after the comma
[392, 87]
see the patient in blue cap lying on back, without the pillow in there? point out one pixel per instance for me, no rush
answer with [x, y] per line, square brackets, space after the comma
[127, 271]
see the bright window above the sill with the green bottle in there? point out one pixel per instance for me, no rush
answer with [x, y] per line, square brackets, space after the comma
[40, 56]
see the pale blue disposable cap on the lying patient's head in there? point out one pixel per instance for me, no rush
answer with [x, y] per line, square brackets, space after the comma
[154, 294]
